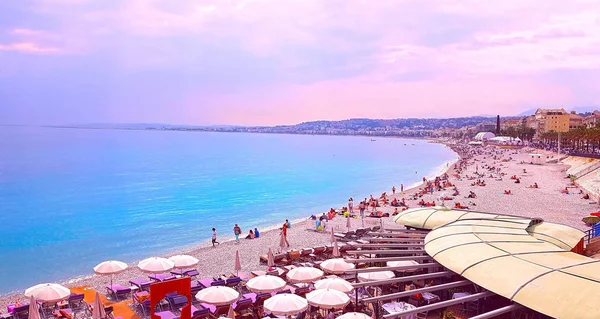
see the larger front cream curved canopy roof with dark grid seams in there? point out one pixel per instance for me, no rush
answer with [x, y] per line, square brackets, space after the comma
[501, 255]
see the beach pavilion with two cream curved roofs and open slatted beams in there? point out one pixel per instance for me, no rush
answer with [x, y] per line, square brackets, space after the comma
[526, 263]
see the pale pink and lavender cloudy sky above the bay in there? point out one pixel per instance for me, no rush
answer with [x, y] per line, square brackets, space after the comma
[267, 62]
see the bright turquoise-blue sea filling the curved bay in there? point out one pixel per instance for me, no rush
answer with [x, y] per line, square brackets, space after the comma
[71, 198]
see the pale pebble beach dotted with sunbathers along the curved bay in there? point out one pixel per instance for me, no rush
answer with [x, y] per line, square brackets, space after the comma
[546, 202]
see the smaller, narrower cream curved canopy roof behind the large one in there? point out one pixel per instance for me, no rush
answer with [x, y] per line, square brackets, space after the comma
[429, 218]
